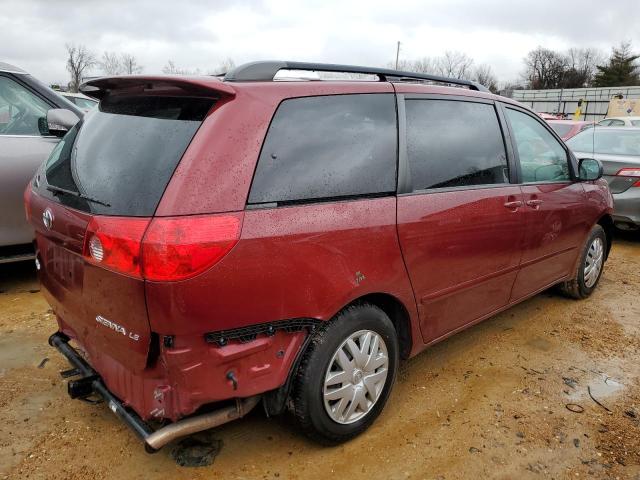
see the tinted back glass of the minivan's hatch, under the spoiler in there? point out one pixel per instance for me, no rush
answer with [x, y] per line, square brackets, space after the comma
[123, 153]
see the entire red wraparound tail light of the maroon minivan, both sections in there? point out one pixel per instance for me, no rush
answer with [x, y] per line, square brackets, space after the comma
[160, 249]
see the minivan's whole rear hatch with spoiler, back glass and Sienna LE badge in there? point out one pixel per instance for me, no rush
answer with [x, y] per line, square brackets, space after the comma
[93, 201]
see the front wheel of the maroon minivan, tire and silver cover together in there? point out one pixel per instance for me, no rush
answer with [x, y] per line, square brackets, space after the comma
[590, 266]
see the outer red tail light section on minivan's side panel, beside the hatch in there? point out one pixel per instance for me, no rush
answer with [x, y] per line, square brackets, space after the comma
[181, 247]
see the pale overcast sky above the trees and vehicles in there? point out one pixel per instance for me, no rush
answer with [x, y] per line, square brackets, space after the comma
[200, 34]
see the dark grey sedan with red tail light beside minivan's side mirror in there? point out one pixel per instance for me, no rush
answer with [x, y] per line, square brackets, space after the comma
[619, 151]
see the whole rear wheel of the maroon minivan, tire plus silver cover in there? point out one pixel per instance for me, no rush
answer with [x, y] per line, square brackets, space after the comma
[346, 375]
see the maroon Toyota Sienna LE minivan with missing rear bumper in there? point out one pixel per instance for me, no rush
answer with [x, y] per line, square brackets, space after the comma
[207, 245]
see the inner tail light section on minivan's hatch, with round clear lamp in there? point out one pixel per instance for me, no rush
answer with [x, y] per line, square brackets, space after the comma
[115, 243]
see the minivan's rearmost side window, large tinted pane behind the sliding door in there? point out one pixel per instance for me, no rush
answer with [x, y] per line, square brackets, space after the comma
[328, 147]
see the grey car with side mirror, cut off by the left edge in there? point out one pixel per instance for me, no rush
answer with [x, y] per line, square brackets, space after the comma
[25, 142]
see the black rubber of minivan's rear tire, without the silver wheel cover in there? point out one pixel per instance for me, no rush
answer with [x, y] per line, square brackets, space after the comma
[307, 397]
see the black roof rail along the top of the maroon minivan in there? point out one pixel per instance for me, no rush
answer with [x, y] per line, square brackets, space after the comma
[265, 71]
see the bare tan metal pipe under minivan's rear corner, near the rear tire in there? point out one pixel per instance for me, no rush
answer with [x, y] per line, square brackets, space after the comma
[181, 428]
